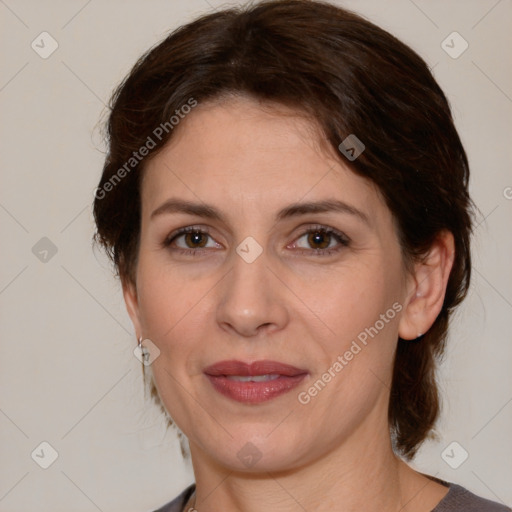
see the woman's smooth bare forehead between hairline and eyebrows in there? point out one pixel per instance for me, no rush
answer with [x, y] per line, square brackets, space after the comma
[242, 155]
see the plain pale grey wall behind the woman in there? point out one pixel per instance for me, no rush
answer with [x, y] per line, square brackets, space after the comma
[68, 375]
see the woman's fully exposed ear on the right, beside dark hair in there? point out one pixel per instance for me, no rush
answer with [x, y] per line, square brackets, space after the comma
[427, 288]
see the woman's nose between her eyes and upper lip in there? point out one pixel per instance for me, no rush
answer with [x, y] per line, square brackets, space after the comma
[251, 299]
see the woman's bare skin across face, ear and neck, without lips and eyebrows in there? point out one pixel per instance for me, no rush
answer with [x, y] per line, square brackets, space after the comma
[250, 160]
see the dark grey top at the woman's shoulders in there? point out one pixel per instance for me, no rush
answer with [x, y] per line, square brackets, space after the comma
[458, 499]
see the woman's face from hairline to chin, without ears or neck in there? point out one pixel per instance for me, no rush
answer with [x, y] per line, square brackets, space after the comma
[319, 288]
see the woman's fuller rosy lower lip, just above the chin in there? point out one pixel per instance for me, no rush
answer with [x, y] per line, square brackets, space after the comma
[255, 392]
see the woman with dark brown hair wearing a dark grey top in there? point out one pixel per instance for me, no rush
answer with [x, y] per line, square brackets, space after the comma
[285, 199]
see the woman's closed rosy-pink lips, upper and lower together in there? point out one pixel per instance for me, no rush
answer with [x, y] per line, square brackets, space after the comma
[255, 382]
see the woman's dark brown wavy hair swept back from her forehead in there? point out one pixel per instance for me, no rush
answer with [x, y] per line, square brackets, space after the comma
[349, 76]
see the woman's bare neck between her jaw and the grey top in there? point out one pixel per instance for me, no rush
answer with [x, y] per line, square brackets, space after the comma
[355, 476]
